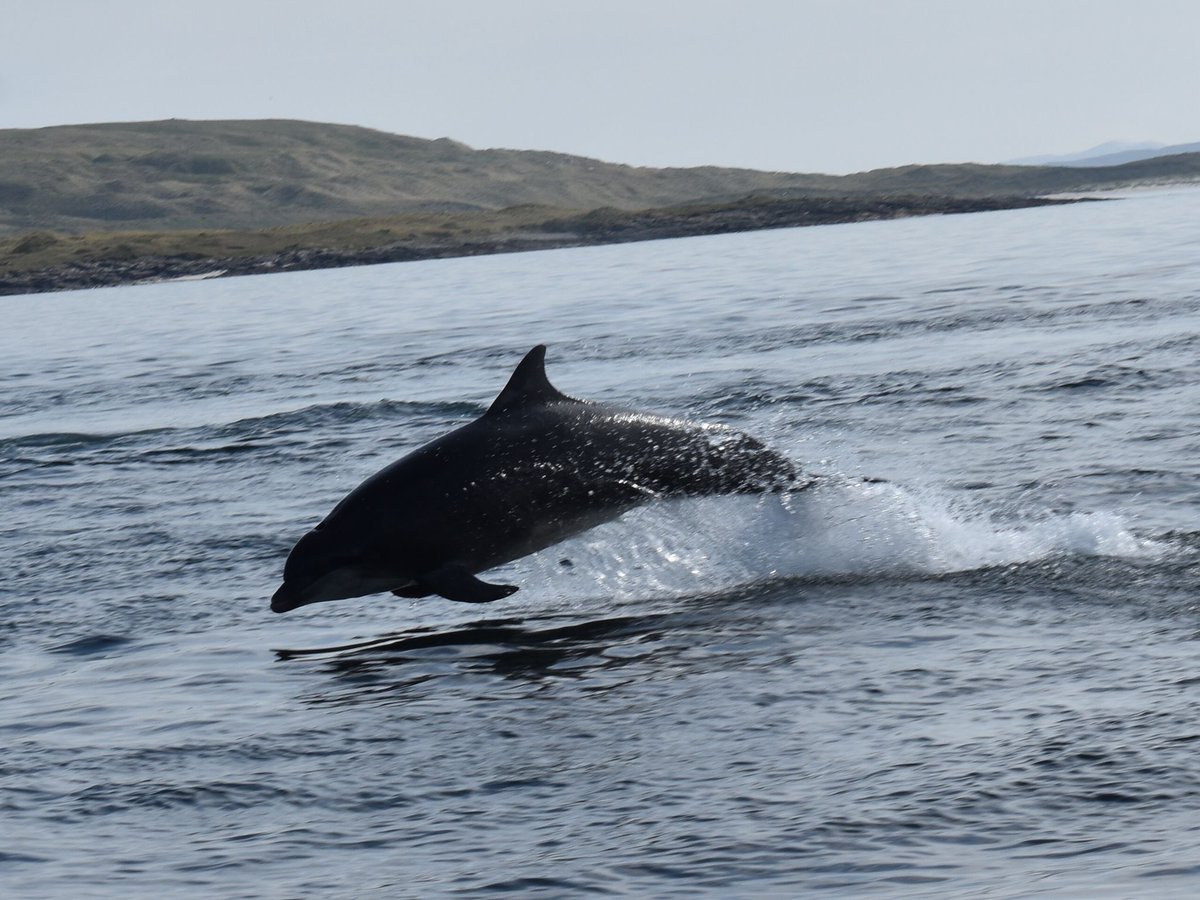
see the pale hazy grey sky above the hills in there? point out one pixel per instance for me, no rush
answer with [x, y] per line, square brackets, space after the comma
[802, 86]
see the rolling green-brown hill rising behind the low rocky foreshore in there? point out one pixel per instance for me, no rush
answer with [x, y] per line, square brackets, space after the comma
[179, 175]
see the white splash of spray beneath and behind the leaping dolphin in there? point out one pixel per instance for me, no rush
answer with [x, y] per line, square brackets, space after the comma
[836, 531]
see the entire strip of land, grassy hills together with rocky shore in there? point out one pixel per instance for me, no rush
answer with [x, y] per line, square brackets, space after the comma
[104, 205]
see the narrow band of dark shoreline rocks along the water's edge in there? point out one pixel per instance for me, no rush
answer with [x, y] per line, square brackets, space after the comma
[599, 227]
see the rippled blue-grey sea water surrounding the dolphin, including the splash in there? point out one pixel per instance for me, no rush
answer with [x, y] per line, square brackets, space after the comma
[979, 676]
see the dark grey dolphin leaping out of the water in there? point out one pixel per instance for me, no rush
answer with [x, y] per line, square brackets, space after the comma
[537, 469]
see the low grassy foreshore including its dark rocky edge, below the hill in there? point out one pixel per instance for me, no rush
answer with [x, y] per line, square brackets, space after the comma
[45, 261]
